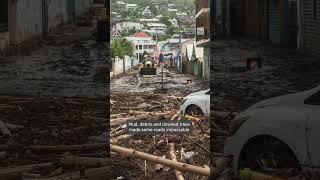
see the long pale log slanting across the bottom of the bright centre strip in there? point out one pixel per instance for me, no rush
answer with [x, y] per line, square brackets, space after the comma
[159, 160]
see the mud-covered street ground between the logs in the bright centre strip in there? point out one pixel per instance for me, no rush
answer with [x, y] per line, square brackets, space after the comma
[133, 90]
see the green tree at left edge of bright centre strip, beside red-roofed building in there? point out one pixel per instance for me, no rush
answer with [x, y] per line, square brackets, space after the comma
[121, 48]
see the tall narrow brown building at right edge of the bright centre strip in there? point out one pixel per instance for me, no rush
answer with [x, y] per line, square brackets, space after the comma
[203, 37]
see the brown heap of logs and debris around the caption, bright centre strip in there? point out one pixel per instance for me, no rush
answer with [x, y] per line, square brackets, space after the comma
[163, 154]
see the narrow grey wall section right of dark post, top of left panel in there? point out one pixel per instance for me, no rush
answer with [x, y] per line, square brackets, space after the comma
[57, 13]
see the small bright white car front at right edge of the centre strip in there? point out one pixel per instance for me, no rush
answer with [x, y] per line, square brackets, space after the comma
[196, 103]
